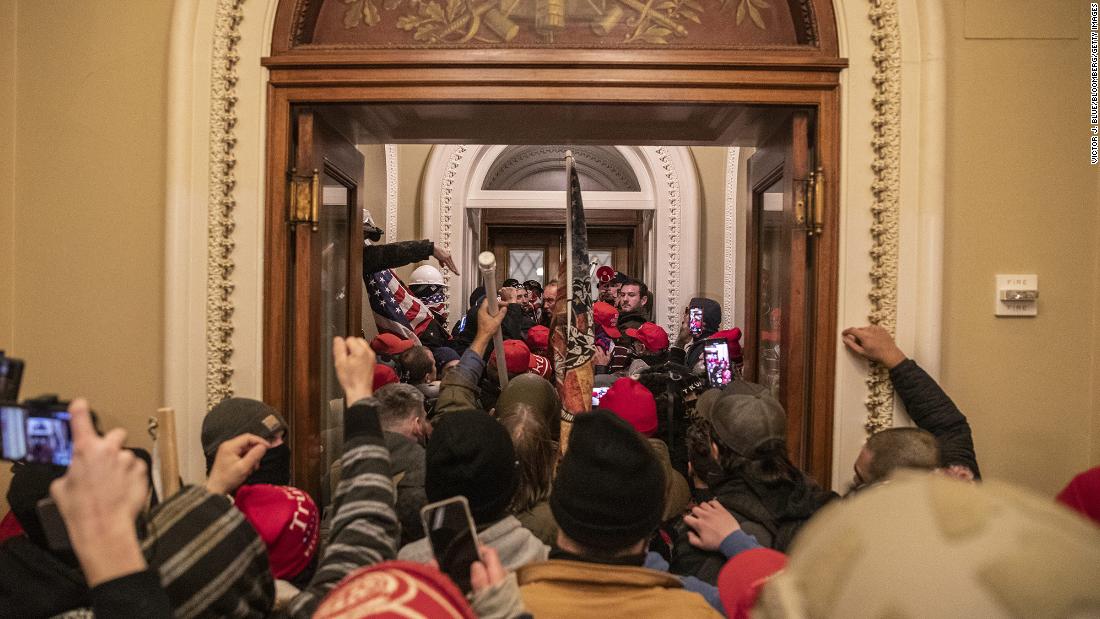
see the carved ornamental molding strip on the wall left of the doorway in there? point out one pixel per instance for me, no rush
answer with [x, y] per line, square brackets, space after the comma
[222, 203]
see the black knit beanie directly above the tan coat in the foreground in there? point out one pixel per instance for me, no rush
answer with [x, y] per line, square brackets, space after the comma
[610, 490]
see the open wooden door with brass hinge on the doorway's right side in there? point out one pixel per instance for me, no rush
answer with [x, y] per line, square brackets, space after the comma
[780, 284]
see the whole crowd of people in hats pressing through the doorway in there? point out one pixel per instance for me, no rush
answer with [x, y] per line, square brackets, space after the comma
[676, 496]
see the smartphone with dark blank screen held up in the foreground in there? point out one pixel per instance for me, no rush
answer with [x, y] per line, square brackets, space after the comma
[453, 537]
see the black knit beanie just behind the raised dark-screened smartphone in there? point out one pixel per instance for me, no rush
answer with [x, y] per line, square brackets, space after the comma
[471, 455]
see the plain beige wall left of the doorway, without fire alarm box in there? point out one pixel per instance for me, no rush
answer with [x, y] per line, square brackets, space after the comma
[82, 193]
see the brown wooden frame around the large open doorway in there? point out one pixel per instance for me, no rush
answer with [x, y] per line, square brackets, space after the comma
[579, 76]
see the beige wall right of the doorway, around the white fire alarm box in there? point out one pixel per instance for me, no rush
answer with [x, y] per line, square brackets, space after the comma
[1021, 197]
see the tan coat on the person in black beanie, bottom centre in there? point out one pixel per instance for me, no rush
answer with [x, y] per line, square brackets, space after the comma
[574, 590]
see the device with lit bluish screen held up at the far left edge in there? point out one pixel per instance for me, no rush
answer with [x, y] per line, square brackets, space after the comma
[39, 435]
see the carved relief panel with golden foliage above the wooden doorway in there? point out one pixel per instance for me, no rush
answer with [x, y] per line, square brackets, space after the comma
[713, 25]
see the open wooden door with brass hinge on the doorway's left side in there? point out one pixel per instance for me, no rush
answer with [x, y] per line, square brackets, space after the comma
[326, 281]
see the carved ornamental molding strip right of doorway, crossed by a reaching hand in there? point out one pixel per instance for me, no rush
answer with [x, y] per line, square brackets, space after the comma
[886, 36]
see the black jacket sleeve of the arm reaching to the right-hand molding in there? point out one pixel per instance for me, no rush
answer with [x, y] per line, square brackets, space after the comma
[932, 411]
